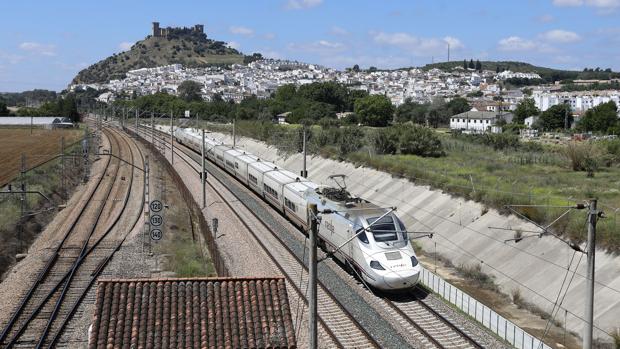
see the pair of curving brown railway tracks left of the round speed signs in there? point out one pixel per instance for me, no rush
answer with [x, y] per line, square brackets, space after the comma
[42, 315]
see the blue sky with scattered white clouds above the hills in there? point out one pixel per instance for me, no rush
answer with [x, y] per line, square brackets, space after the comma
[43, 44]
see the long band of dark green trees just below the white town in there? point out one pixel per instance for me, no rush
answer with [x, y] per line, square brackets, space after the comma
[316, 103]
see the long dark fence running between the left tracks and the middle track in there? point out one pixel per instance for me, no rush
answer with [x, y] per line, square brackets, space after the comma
[218, 261]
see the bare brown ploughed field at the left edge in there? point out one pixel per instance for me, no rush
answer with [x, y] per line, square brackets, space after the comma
[38, 147]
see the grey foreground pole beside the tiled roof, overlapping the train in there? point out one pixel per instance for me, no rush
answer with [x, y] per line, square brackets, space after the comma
[312, 275]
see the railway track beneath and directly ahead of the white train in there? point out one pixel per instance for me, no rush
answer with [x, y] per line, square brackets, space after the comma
[434, 329]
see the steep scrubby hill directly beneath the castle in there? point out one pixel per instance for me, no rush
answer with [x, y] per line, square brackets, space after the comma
[180, 45]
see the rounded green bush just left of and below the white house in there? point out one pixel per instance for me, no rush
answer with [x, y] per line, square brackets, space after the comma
[418, 140]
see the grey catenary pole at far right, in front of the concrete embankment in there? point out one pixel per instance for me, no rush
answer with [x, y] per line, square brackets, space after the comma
[592, 218]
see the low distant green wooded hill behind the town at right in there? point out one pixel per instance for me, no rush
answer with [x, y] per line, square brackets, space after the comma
[547, 74]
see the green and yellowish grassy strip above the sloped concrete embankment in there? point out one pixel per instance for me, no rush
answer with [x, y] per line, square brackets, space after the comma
[529, 175]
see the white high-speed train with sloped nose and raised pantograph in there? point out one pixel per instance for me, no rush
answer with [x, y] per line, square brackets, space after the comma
[380, 254]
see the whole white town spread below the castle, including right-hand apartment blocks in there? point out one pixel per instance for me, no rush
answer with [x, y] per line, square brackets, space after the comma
[262, 78]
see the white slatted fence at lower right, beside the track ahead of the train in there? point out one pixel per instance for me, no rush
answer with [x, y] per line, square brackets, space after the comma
[499, 325]
